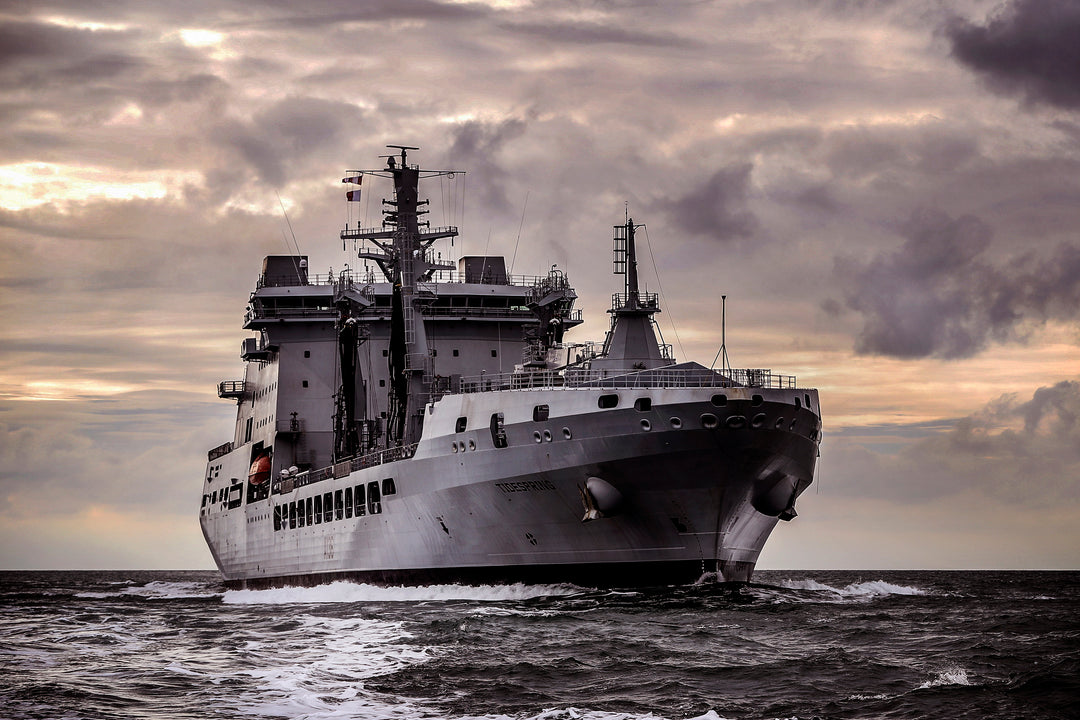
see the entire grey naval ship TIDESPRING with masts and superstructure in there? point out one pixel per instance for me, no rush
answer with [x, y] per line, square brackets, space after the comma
[381, 440]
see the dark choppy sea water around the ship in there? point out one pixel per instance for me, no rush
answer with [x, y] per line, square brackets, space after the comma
[793, 645]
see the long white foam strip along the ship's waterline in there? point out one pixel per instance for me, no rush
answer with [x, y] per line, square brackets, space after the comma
[345, 592]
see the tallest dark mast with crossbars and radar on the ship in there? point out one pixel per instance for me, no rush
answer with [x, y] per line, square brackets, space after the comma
[404, 256]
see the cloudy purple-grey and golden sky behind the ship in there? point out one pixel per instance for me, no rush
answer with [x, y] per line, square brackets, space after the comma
[888, 194]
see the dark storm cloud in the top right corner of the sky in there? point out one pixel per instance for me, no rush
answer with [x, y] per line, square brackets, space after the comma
[1031, 48]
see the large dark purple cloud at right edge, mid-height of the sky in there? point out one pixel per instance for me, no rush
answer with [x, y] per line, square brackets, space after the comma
[940, 295]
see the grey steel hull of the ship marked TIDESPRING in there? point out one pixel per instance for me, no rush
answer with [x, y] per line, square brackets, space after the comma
[692, 488]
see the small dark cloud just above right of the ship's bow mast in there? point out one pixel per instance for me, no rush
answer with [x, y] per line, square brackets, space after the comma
[718, 209]
